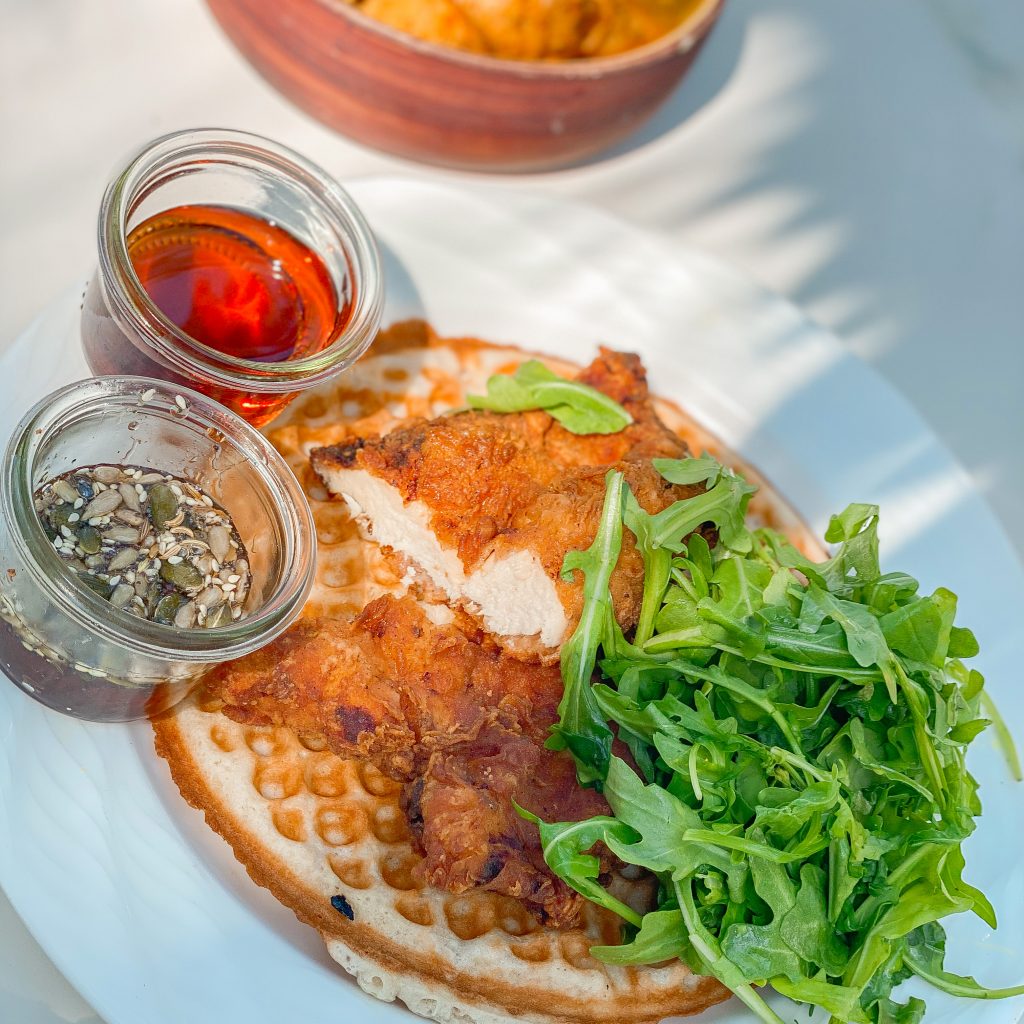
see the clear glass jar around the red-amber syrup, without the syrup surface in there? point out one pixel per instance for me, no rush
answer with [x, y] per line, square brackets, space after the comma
[124, 332]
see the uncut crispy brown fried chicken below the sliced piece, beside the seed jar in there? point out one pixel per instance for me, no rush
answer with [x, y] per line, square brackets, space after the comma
[461, 724]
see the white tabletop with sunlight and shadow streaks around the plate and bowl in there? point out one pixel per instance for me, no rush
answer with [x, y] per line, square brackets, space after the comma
[865, 159]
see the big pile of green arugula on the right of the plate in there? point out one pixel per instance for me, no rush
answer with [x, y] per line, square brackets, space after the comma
[797, 735]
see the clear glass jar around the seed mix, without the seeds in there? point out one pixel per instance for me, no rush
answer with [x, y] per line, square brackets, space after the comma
[66, 646]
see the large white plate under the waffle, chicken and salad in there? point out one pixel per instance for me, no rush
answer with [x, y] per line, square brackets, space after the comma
[145, 910]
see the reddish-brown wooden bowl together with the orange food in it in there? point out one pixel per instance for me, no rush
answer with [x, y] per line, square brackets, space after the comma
[510, 96]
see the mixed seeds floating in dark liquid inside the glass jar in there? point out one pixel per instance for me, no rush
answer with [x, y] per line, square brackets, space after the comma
[149, 543]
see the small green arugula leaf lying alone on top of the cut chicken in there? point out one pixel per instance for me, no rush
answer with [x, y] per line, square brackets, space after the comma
[579, 408]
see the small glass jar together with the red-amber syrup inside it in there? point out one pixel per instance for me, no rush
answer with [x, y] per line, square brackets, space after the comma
[231, 266]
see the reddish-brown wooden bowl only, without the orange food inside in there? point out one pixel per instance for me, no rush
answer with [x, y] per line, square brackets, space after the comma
[436, 104]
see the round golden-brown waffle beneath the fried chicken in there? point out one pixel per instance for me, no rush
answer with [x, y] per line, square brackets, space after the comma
[314, 828]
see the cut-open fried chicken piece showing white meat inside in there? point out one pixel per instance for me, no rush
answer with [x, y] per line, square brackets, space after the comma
[486, 506]
